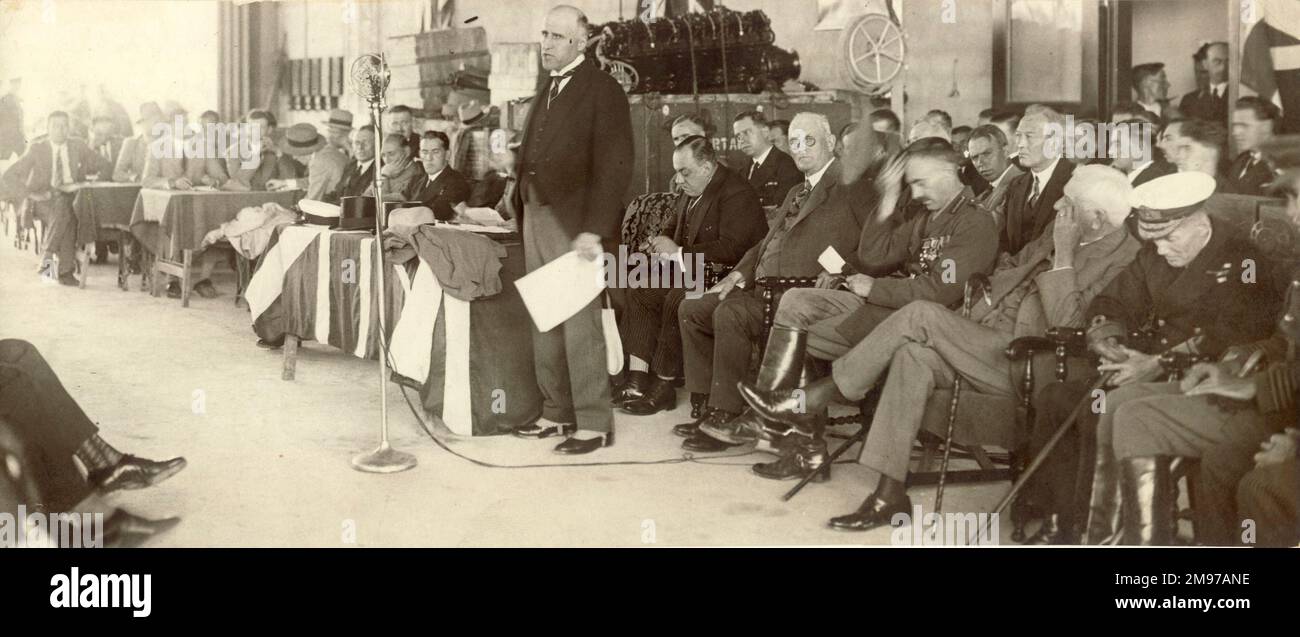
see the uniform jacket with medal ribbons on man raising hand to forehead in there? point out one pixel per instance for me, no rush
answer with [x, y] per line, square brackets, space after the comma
[926, 258]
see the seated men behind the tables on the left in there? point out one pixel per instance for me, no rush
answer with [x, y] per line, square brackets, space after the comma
[324, 164]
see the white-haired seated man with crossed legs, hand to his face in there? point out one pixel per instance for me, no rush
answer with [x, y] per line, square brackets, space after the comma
[926, 346]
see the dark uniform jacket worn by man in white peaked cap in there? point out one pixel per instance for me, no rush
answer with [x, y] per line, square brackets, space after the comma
[1212, 297]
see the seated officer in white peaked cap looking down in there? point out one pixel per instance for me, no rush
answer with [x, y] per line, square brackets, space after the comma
[1195, 288]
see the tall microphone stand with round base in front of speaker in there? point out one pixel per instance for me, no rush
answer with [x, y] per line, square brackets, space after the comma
[383, 460]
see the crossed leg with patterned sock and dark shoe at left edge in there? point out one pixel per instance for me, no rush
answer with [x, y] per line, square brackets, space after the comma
[36, 404]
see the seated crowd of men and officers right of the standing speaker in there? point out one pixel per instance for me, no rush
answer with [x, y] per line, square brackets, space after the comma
[1121, 244]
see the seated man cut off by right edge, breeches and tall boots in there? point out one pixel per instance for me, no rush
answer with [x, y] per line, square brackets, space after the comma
[1224, 415]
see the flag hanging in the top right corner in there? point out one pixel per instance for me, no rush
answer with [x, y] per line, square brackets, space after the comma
[1271, 55]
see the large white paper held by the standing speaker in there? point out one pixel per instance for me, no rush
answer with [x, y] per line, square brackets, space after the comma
[558, 291]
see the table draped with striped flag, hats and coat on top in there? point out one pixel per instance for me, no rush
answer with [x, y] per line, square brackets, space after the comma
[473, 361]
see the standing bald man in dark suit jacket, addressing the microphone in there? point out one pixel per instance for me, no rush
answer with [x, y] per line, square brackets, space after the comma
[574, 166]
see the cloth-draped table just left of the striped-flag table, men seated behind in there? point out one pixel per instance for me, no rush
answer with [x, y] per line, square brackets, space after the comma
[171, 224]
